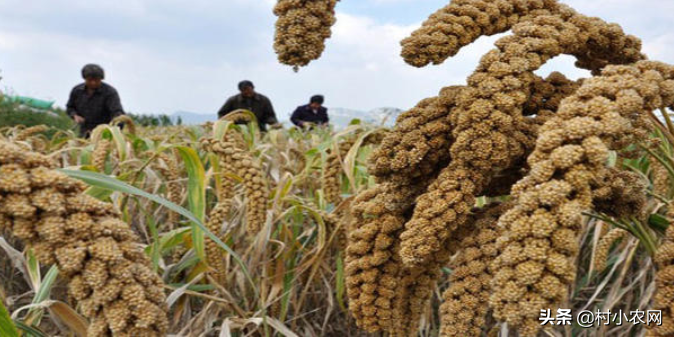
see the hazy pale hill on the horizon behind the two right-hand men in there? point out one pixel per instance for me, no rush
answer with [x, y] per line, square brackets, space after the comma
[340, 117]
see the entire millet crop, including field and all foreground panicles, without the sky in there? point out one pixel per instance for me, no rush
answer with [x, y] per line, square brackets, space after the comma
[481, 209]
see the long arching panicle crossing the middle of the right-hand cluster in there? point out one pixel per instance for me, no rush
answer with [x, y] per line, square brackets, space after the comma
[489, 130]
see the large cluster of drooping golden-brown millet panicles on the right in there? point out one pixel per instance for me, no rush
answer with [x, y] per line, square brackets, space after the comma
[546, 143]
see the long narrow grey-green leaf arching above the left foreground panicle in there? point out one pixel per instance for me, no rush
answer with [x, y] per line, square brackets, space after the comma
[104, 181]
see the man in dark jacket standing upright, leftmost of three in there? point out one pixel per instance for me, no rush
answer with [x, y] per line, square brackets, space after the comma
[93, 102]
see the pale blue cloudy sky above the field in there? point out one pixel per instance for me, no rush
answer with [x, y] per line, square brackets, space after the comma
[168, 55]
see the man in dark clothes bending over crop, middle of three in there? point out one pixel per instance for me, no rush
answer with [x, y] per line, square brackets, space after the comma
[248, 99]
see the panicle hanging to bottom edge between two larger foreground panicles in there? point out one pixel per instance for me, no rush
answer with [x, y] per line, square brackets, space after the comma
[466, 301]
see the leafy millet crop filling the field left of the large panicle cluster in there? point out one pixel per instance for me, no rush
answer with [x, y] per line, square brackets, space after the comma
[260, 195]
